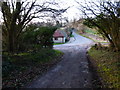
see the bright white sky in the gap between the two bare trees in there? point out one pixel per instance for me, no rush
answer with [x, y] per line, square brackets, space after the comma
[72, 12]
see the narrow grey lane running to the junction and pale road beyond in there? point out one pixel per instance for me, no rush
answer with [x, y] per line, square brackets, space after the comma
[72, 71]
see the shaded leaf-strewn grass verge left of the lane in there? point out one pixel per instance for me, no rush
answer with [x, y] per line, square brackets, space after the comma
[22, 68]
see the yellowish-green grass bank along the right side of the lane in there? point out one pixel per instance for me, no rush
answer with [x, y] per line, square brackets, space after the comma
[108, 66]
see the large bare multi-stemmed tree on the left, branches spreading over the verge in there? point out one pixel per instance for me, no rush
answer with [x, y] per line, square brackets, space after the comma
[17, 15]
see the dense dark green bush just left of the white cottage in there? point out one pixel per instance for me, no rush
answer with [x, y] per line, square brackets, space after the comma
[35, 37]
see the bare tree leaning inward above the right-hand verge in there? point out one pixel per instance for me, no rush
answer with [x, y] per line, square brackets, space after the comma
[105, 15]
